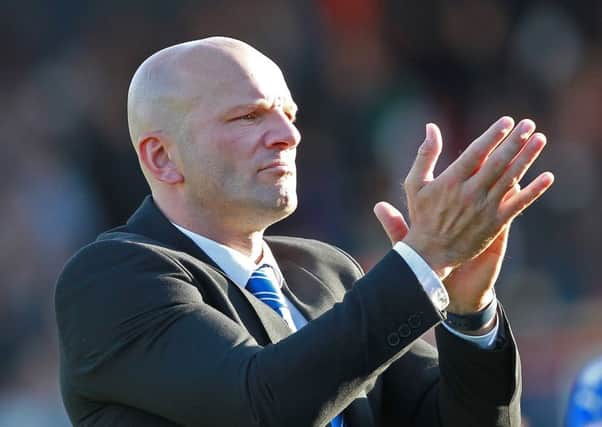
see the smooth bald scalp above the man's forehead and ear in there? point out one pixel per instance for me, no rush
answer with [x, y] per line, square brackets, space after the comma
[172, 82]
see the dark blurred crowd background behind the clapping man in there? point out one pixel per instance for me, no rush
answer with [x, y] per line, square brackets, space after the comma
[368, 75]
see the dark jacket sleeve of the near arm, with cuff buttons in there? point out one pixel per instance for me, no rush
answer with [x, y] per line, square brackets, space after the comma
[134, 330]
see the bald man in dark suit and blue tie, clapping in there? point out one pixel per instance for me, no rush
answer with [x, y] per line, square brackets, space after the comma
[161, 321]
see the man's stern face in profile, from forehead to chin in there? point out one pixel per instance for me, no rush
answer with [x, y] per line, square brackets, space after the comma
[239, 154]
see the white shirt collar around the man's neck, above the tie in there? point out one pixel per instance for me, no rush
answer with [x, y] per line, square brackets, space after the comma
[236, 265]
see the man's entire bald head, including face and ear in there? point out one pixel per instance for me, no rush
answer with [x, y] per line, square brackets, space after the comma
[212, 123]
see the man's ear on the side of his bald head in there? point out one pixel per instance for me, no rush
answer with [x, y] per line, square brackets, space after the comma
[154, 155]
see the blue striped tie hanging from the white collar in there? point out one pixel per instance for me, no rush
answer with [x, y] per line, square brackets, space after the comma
[264, 285]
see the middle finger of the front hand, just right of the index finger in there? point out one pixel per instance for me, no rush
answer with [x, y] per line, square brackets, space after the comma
[503, 155]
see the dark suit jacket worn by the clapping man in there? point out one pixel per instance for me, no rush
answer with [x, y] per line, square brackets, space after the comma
[152, 333]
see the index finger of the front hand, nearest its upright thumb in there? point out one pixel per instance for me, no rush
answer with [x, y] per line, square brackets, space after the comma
[472, 158]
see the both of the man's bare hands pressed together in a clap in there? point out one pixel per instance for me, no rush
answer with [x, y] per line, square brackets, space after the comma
[460, 219]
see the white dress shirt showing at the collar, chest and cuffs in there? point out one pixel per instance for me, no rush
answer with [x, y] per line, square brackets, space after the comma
[239, 267]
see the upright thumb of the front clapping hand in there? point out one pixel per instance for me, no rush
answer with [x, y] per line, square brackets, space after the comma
[426, 159]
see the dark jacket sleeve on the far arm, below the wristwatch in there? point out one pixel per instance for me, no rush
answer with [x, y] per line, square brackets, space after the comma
[462, 385]
